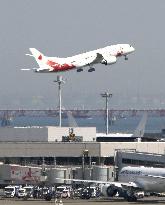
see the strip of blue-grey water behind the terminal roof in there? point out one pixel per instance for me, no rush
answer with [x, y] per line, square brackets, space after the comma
[154, 124]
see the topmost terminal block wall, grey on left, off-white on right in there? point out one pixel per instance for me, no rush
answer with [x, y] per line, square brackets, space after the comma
[43, 134]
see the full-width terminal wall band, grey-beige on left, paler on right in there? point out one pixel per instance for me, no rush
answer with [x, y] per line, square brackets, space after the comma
[70, 149]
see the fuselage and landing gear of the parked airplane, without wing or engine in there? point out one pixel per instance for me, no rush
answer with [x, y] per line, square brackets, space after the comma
[149, 179]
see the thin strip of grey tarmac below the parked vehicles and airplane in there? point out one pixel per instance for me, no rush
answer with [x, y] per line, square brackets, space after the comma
[102, 201]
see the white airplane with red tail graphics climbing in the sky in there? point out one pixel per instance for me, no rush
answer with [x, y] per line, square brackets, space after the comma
[107, 56]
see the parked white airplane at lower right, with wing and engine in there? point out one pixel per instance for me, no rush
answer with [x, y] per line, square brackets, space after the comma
[132, 180]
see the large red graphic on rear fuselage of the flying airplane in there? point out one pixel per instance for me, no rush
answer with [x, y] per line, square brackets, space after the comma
[59, 67]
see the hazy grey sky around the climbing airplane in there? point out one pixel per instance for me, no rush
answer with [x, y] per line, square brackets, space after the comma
[65, 28]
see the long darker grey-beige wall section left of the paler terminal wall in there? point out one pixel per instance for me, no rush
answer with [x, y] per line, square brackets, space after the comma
[47, 149]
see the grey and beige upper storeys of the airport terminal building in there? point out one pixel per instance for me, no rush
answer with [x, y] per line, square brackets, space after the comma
[24, 145]
